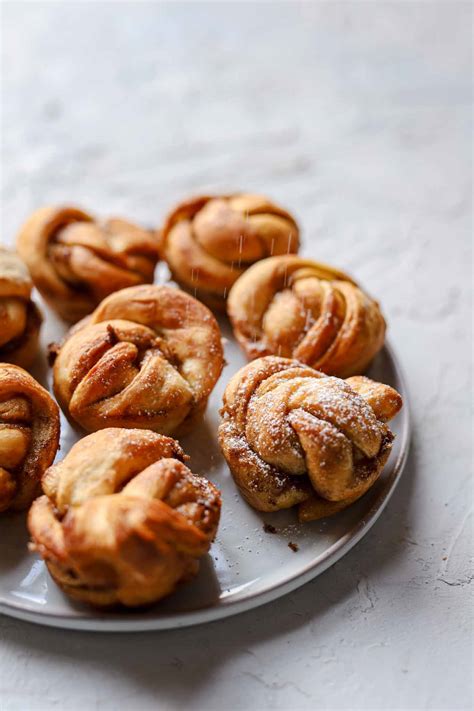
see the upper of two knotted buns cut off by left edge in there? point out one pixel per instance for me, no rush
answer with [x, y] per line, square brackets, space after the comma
[20, 319]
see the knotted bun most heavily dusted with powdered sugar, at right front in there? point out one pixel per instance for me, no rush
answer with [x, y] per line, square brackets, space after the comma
[293, 436]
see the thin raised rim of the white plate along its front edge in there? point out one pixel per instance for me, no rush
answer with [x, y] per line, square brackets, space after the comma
[223, 609]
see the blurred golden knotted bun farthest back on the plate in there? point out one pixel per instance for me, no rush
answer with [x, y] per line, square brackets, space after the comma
[208, 242]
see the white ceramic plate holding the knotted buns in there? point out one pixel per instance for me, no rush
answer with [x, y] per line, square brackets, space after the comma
[246, 566]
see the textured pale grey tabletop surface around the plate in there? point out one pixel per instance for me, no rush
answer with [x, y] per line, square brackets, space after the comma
[356, 116]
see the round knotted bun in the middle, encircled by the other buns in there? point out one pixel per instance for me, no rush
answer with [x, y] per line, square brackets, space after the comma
[147, 357]
